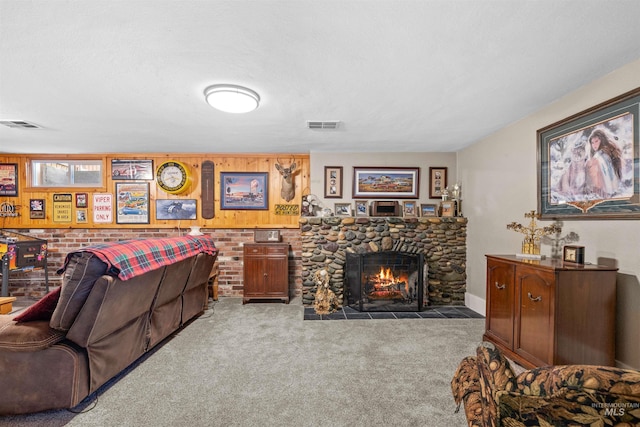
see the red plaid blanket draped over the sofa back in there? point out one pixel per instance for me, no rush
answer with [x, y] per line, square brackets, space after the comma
[130, 258]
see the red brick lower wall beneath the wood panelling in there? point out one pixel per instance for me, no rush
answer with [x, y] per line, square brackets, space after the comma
[228, 241]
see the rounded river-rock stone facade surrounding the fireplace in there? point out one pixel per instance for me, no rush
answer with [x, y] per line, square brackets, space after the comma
[442, 240]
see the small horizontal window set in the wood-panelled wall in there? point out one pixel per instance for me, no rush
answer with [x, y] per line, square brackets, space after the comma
[66, 173]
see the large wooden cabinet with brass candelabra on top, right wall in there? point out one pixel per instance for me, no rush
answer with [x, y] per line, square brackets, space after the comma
[551, 313]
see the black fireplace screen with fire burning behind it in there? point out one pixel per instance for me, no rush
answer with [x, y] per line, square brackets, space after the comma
[385, 281]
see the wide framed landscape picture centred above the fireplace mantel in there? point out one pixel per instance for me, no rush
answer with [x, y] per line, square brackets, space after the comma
[384, 183]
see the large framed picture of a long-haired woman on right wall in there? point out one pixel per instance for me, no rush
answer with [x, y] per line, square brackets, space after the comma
[588, 163]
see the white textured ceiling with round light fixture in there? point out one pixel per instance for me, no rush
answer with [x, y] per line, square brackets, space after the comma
[414, 76]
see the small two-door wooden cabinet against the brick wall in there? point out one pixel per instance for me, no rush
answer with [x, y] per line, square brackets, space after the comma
[266, 271]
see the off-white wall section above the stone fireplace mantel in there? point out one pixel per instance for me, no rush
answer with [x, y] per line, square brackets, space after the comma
[348, 160]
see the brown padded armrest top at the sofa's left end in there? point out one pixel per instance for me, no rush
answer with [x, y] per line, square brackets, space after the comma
[27, 336]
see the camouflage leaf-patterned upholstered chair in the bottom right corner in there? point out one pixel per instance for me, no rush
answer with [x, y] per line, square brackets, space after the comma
[549, 396]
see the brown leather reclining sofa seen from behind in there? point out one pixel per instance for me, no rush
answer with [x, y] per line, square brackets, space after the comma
[100, 325]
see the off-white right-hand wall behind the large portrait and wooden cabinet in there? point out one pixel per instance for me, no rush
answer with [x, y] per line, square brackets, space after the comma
[499, 175]
